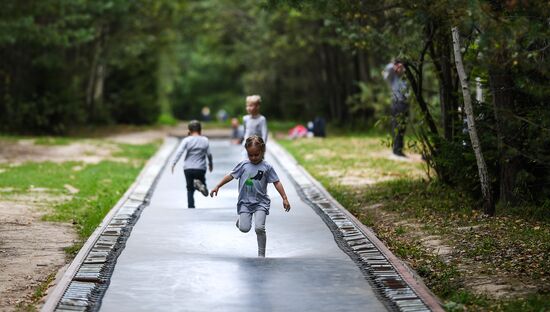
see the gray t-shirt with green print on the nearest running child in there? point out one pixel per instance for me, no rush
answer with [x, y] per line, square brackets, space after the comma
[253, 180]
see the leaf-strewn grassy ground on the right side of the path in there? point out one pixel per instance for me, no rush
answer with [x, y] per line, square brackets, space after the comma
[506, 245]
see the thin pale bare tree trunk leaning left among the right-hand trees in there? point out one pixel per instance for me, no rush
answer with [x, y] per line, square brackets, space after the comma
[488, 203]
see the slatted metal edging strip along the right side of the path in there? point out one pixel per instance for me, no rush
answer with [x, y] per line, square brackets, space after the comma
[392, 280]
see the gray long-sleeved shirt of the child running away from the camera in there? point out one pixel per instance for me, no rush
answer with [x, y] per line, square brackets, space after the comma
[198, 150]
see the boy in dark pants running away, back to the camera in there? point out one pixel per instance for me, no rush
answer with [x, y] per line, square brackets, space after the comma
[194, 165]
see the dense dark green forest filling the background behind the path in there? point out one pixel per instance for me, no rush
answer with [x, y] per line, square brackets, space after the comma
[66, 64]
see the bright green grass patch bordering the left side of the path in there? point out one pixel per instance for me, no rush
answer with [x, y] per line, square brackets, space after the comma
[100, 185]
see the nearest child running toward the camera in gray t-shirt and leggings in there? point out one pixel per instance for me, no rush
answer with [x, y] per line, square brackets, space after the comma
[254, 174]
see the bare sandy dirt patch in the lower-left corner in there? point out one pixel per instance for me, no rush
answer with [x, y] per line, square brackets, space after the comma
[30, 249]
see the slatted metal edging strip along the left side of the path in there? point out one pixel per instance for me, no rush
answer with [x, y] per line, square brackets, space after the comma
[82, 286]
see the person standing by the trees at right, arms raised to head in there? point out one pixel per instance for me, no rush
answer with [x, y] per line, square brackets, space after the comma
[393, 73]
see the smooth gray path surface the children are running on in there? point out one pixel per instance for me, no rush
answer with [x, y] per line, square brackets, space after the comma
[180, 259]
